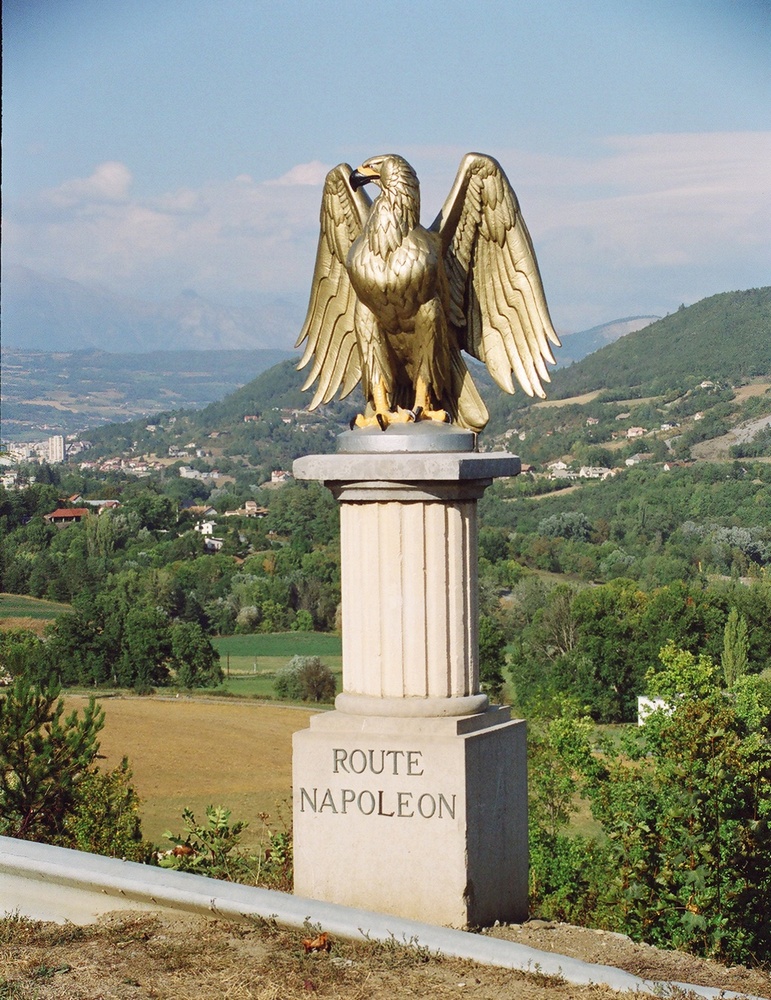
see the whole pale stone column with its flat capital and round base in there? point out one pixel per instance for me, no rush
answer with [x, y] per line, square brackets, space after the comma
[408, 540]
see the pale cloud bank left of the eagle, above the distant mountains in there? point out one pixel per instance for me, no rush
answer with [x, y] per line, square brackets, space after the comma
[223, 239]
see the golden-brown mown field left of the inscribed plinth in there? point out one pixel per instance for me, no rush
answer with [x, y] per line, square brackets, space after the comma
[196, 752]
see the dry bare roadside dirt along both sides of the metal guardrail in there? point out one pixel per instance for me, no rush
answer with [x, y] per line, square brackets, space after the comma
[155, 957]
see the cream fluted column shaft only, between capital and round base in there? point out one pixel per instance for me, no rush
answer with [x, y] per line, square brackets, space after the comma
[409, 586]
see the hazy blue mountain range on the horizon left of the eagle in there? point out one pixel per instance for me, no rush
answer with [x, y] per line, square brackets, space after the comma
[55, 314]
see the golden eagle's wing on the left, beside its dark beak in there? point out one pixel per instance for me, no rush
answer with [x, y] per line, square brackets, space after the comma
[329, 324]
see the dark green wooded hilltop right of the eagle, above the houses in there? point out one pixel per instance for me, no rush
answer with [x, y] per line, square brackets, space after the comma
[726, 337]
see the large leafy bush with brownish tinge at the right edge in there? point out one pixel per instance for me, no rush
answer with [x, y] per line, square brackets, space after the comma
[686, 805]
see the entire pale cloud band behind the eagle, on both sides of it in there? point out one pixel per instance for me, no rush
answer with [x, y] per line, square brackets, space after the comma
[638, 225]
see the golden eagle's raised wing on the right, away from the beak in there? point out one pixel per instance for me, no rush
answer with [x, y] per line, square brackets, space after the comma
[497, 302]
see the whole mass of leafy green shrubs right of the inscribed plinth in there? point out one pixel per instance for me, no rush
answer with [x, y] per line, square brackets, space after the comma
[684, 802]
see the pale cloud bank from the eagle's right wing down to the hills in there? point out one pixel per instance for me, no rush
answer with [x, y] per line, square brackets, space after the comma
[648, 222]
